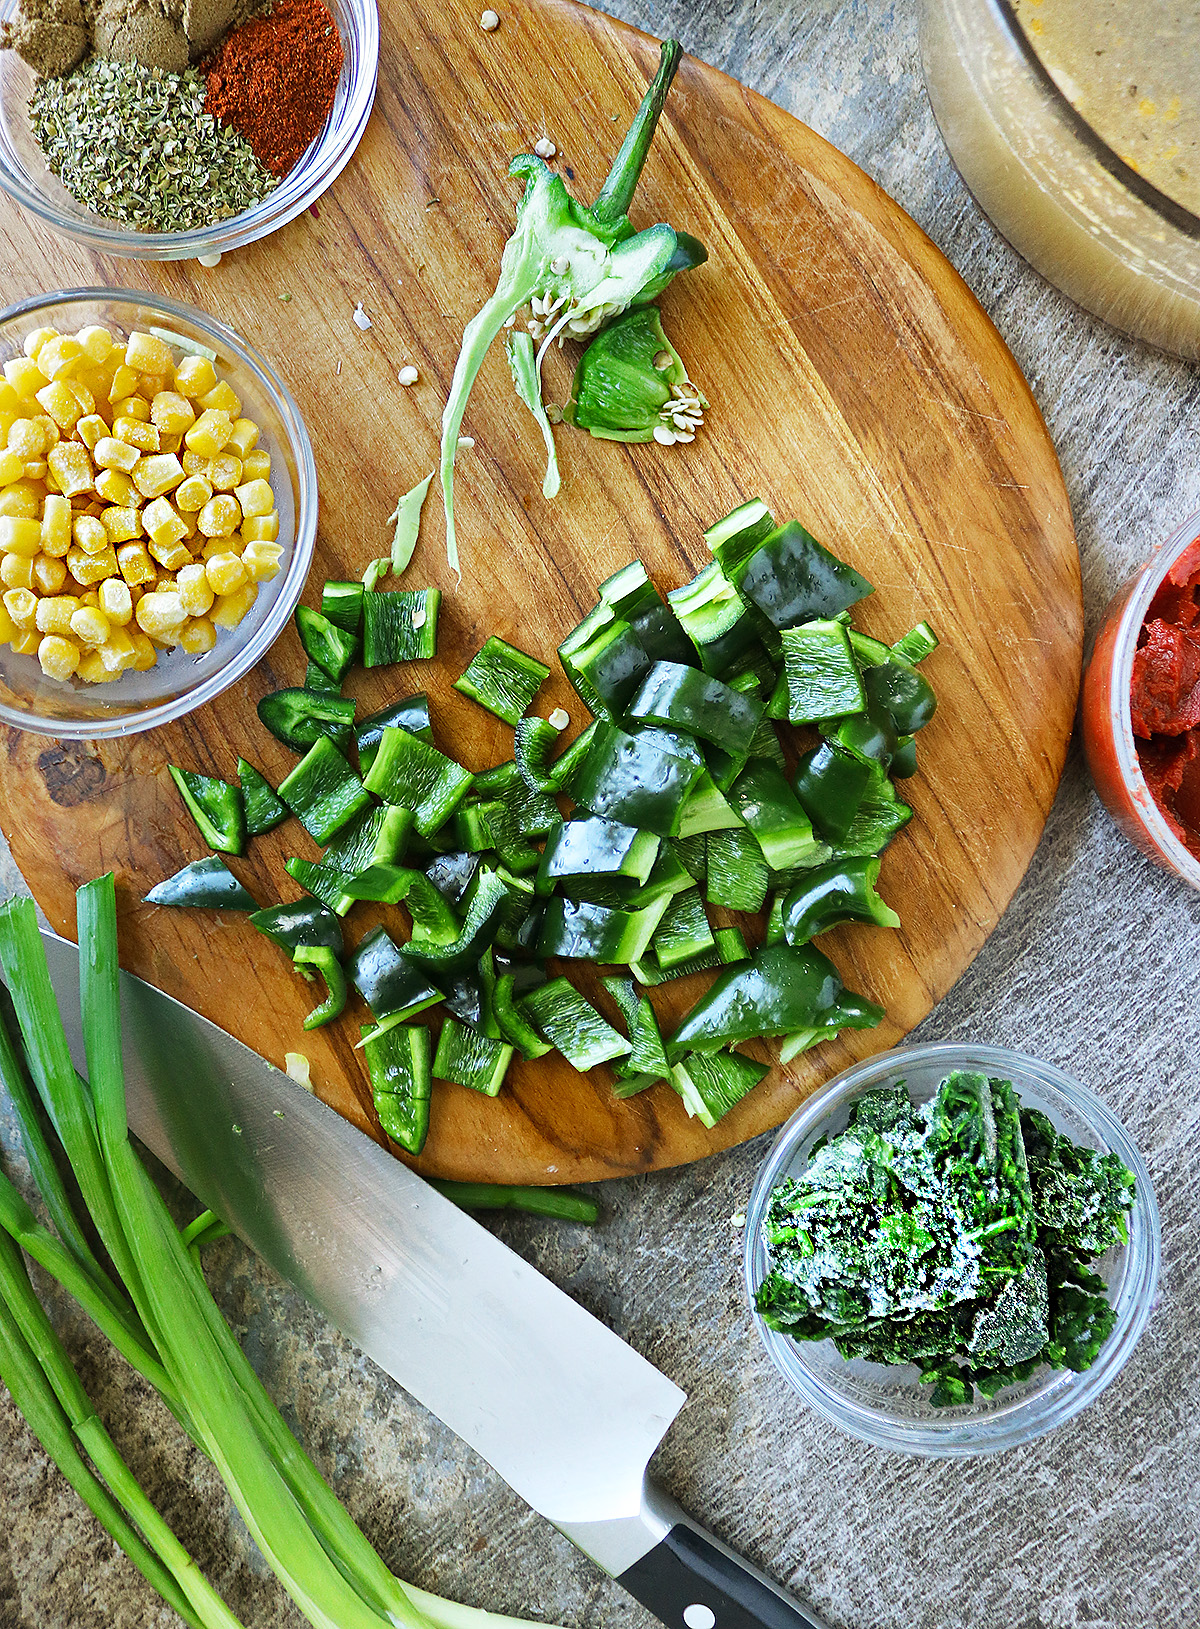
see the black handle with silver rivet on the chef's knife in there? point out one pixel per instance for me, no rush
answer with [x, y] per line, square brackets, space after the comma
[691, 1581]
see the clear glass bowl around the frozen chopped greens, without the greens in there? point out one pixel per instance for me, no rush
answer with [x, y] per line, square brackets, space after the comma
[887, 1405]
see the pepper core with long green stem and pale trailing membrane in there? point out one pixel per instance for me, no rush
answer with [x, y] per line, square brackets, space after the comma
[582, 265]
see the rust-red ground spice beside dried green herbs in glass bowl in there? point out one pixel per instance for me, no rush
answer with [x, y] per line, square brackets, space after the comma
[274, 81]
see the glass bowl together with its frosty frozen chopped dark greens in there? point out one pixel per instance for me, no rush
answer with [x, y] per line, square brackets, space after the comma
[952, 1249]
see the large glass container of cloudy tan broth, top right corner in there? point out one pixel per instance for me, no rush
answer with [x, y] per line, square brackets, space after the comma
[1074, 169]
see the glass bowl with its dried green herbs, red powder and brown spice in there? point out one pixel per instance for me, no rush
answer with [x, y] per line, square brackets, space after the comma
[186, 162]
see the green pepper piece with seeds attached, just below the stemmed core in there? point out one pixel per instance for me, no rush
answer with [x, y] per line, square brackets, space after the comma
[633, 385]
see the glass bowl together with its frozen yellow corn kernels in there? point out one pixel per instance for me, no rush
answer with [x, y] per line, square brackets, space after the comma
[157, 512]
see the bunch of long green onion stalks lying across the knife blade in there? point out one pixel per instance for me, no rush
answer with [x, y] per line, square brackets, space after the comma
[157, 1311]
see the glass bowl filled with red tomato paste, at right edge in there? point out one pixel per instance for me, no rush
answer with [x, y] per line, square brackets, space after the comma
[1141, 711]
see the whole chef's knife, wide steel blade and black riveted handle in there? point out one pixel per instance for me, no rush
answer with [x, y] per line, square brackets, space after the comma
[564, 1410]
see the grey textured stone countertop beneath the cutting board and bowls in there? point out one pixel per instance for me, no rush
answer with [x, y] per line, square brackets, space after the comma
[1092, 968]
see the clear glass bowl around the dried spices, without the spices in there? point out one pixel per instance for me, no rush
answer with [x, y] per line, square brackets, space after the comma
[25, 177]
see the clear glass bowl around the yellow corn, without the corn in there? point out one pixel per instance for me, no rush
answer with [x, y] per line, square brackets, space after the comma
[178, 683]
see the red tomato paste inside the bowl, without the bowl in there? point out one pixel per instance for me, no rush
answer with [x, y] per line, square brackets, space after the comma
[1165, 698]
